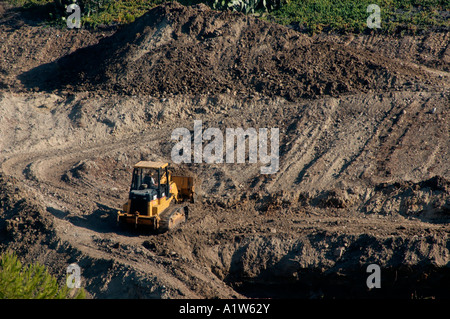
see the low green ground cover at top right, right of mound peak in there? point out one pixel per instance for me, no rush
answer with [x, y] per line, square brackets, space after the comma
[351, 15]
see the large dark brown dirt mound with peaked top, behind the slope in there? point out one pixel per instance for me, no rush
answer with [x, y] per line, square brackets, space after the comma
[175, 49]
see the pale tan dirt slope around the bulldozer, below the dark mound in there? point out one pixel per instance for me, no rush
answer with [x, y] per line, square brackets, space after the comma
[341, 209]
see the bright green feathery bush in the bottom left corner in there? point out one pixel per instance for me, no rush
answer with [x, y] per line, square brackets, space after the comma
[31, 282]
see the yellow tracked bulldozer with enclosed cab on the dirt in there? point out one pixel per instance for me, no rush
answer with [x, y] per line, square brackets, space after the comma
[156, 198]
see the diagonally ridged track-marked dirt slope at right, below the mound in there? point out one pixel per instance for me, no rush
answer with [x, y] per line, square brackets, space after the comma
[354, 140]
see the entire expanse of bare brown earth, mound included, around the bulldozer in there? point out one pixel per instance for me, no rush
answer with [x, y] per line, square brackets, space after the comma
[364, 165]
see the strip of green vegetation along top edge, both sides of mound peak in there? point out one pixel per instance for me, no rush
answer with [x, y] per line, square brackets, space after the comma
[311, 15]
